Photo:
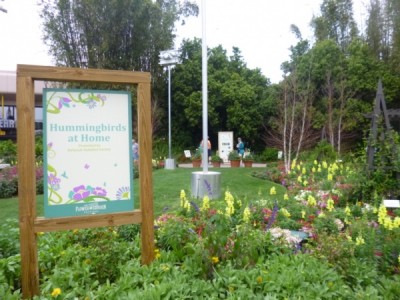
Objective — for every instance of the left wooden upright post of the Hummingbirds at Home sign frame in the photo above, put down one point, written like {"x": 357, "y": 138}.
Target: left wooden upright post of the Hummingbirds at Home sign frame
{"x": 27, "y": 185}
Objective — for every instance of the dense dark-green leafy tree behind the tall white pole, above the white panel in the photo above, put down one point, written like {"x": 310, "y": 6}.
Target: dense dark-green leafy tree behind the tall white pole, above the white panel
{"x": 236, "y": 95}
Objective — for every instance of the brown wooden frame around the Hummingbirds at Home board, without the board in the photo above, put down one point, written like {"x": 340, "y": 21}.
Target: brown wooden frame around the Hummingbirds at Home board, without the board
{"x": 30, "y": 224}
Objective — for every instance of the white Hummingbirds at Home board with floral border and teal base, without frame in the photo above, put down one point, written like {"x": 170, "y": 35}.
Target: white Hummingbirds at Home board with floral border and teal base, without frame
{"x": 87, "y": 152}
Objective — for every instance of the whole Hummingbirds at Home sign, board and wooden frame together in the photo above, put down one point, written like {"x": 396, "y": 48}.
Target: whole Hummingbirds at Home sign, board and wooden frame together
{"x": 87, "y": 158}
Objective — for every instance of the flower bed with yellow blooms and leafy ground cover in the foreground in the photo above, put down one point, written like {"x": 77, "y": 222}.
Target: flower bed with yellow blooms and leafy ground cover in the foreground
{"x": 310, "y": 240}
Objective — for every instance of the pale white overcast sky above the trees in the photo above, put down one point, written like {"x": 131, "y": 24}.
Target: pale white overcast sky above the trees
{"x": 259, "y": 28}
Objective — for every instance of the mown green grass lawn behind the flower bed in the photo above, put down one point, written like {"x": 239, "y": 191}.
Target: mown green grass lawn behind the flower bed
{"x": 167, "y": 185}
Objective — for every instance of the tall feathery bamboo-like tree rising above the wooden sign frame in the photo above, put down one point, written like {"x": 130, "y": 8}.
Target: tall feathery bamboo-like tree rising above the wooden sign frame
{"x": 111, "y": 34}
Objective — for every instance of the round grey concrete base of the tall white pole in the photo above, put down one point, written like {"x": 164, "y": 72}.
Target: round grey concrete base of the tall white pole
{"x": 206, "y": 184}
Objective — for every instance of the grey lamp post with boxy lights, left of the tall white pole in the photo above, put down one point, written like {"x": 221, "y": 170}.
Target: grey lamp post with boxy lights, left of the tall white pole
{"x": 169, "y": 59}
